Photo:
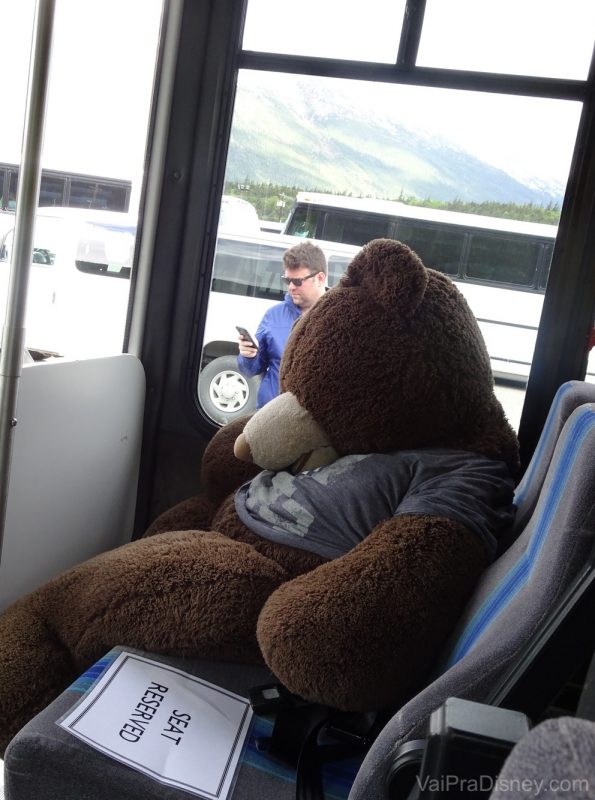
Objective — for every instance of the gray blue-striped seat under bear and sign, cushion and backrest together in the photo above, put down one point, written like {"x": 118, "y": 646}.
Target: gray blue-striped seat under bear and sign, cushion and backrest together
{"x": 515, "y": 593}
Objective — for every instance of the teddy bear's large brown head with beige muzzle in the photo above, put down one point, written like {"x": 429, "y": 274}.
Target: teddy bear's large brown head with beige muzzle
{"x": 390, "y": 359}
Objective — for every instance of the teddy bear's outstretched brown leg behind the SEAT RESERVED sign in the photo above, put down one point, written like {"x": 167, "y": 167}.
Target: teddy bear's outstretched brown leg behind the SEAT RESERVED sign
{"x": 181, "y": 593}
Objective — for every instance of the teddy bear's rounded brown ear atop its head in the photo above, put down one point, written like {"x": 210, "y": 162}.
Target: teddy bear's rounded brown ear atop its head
{"x": 392, "y": 273}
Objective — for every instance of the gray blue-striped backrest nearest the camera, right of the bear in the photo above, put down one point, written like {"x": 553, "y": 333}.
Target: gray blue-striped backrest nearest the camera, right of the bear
{"x": 516, "y": 595}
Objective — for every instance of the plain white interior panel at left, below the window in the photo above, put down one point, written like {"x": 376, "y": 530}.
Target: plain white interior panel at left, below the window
{"x": 74, "y": 472}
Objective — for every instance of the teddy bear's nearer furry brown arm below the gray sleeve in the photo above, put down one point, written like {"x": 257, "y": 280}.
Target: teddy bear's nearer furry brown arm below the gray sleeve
{"x": 362, "y": 631}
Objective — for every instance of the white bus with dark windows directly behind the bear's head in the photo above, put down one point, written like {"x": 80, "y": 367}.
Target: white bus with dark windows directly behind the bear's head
{"x": 500, "y": 265}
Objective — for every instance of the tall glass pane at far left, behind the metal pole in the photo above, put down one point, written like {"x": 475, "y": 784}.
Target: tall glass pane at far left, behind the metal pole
{"x": 75, "y": 307}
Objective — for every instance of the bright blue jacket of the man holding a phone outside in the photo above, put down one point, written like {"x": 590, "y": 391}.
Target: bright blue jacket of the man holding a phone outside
{"x": 271, "y": 335}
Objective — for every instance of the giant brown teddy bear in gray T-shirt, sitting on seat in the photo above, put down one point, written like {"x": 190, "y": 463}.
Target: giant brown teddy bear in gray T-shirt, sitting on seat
{"x": 388, "y": 473}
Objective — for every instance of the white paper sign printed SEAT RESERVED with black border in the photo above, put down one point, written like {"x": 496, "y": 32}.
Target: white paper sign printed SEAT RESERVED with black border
{"x": 179, "y": 729}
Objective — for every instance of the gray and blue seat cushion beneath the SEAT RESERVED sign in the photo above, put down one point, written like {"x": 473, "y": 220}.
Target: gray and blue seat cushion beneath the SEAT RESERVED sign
{"x": 45, "y": 762}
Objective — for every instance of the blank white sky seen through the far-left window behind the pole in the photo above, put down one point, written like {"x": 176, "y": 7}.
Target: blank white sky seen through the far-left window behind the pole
{"x": 103, "y": 56}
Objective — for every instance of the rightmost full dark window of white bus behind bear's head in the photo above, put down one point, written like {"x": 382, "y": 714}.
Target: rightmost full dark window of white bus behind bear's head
{"x": 503, "y": 259}
